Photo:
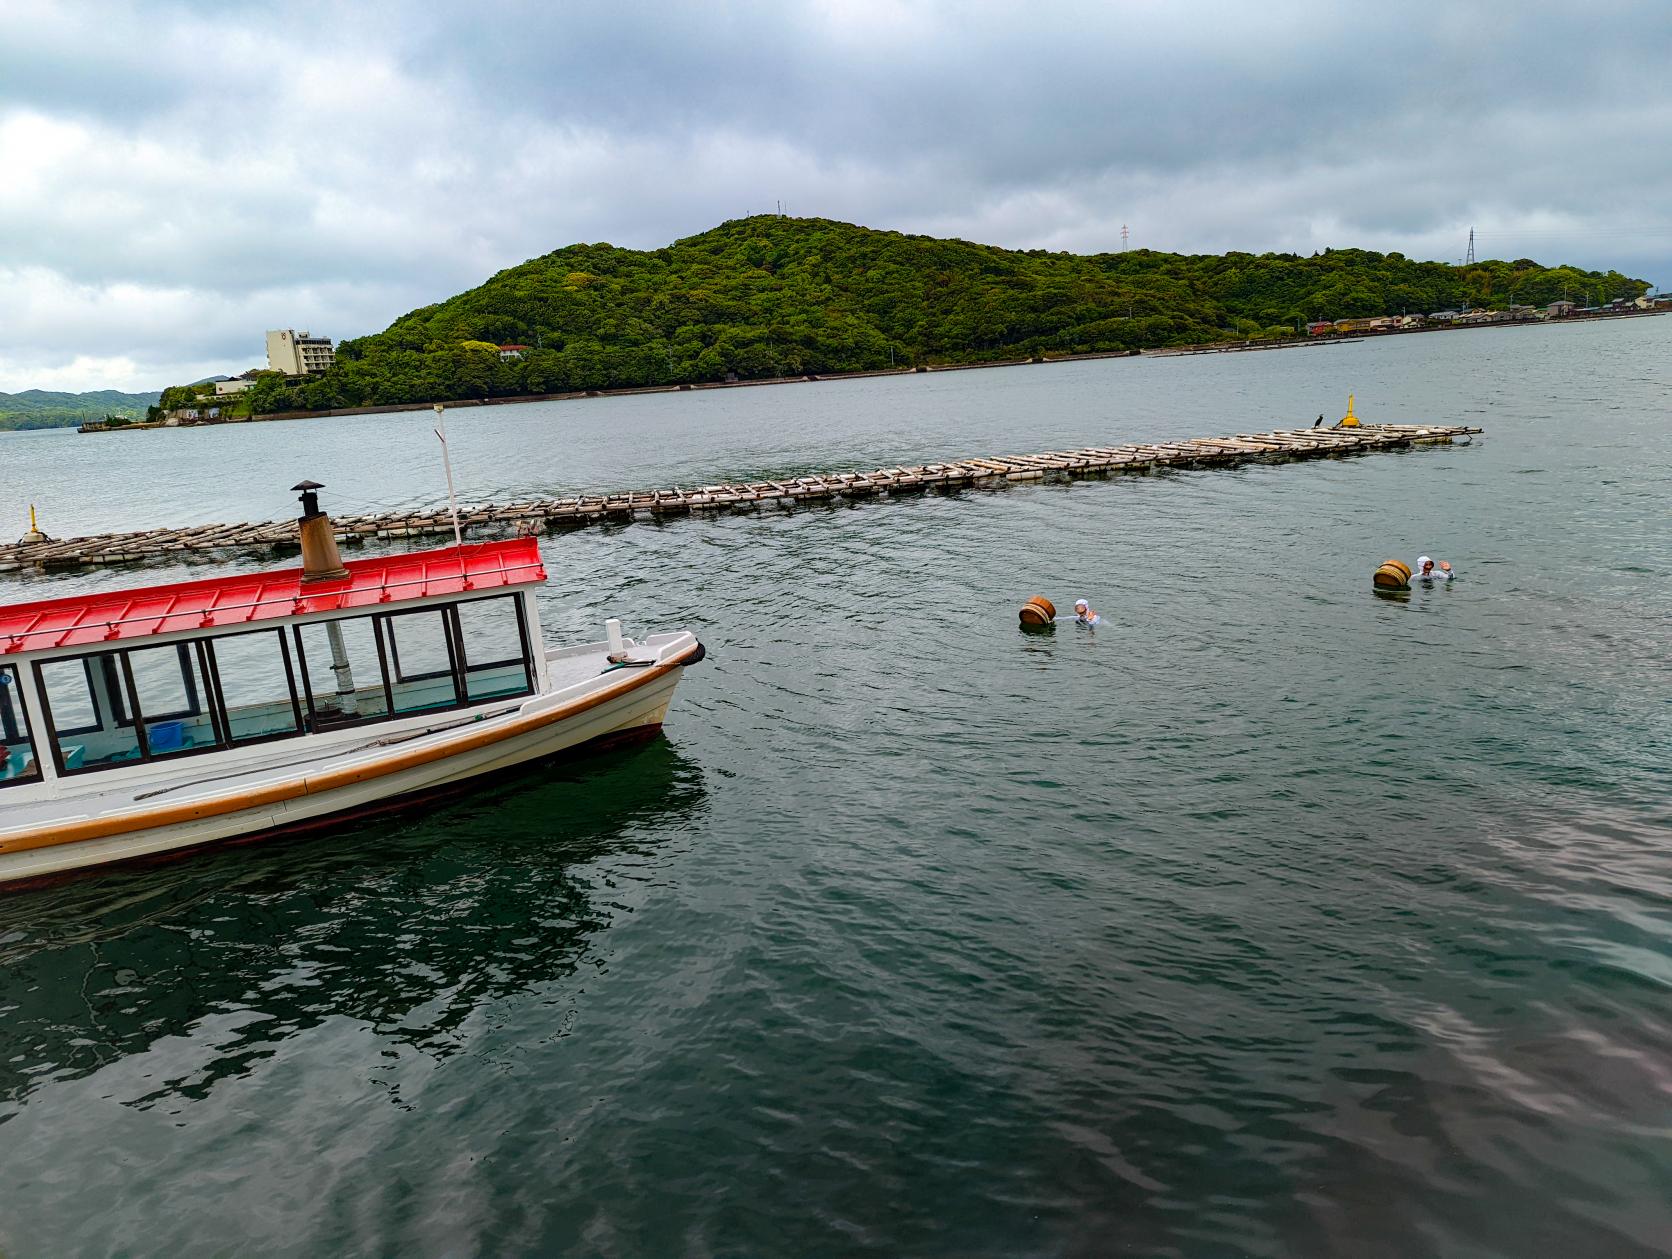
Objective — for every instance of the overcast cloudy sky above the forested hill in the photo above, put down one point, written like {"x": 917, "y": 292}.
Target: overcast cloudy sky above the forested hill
{"x": 178, "y": 178}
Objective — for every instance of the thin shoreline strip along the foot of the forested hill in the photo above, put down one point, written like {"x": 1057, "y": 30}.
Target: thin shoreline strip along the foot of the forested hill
{"x": 636, "y": 390}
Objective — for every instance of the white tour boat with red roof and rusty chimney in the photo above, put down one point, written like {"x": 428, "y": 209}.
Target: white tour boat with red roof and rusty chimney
{"x": 148, "y": 721}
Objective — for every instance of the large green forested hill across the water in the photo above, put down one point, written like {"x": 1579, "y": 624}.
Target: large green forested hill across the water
{"x": 778, "y": 297}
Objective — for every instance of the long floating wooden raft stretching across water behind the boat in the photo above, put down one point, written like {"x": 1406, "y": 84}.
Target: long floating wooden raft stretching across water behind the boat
{"x": 548, "y": 514}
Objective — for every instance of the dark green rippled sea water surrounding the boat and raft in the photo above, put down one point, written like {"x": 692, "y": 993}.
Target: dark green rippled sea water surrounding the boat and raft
{"x": 1267, "y": 920}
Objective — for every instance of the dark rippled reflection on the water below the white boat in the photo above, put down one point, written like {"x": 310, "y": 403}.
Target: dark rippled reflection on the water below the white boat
{"x": 407, "y": 925}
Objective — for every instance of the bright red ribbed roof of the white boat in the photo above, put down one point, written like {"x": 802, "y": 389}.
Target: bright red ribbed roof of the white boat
{"x": 225, "y": 603}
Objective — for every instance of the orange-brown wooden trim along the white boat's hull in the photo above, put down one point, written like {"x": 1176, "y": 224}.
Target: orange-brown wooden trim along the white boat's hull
{"x": 332, "y": 780}
